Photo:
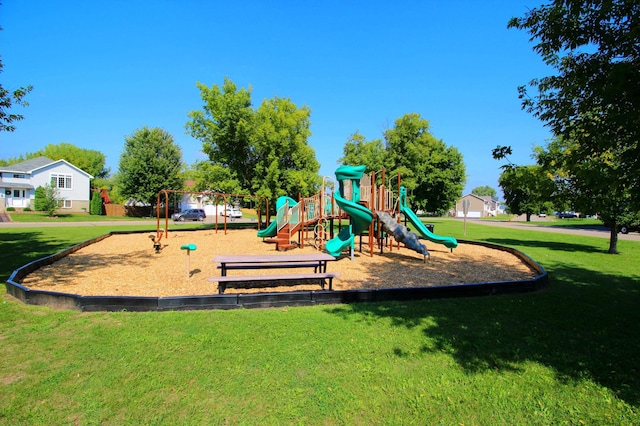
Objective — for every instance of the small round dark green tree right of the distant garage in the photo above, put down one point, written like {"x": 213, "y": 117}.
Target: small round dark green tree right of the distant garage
{"x": 526, "y": 189}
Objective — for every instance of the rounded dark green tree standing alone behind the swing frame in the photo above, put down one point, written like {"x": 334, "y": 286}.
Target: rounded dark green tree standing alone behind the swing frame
{"x": 150, "y": 162}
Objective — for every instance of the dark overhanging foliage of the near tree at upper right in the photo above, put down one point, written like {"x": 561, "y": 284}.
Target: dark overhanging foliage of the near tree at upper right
{"x": 593, "y": 99}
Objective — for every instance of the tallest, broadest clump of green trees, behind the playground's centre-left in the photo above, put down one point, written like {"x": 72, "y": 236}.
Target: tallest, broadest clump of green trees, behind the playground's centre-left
{"x": 266, "y": 150}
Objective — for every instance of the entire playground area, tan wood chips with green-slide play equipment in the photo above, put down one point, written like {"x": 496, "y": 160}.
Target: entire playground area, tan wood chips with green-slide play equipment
{"x": 370, "y": 250}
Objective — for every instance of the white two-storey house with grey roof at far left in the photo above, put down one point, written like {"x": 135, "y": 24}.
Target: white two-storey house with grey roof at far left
{"x": 18, "y": 183}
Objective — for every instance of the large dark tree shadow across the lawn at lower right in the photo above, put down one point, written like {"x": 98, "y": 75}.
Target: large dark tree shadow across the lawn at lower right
{"x": 585, "y": 326}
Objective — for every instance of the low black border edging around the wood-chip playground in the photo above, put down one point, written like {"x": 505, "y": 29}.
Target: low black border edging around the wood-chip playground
{"x": 259, "y": 300}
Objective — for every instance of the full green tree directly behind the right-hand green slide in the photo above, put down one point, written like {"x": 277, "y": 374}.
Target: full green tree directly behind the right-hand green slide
{"x": 433, "y": 173}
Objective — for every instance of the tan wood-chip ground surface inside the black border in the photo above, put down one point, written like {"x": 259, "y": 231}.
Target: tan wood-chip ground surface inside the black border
{"x": 127, "y": 265}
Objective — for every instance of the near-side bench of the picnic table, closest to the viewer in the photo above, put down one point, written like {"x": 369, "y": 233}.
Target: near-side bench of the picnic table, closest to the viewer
{"x": 274, "y": 280}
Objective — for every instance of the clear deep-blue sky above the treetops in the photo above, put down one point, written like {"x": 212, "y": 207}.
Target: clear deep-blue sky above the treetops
{"x": 101, "y": 69}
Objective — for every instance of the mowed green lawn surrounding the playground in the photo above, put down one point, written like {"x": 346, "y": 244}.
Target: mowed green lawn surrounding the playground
{"x": 566, "y": 355}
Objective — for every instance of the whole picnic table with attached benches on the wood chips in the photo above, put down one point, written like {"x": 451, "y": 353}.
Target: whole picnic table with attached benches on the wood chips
{"x": 315, "y": 261}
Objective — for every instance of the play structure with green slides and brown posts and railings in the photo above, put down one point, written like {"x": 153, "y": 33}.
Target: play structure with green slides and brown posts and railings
{"x": 372, "y": 209}
